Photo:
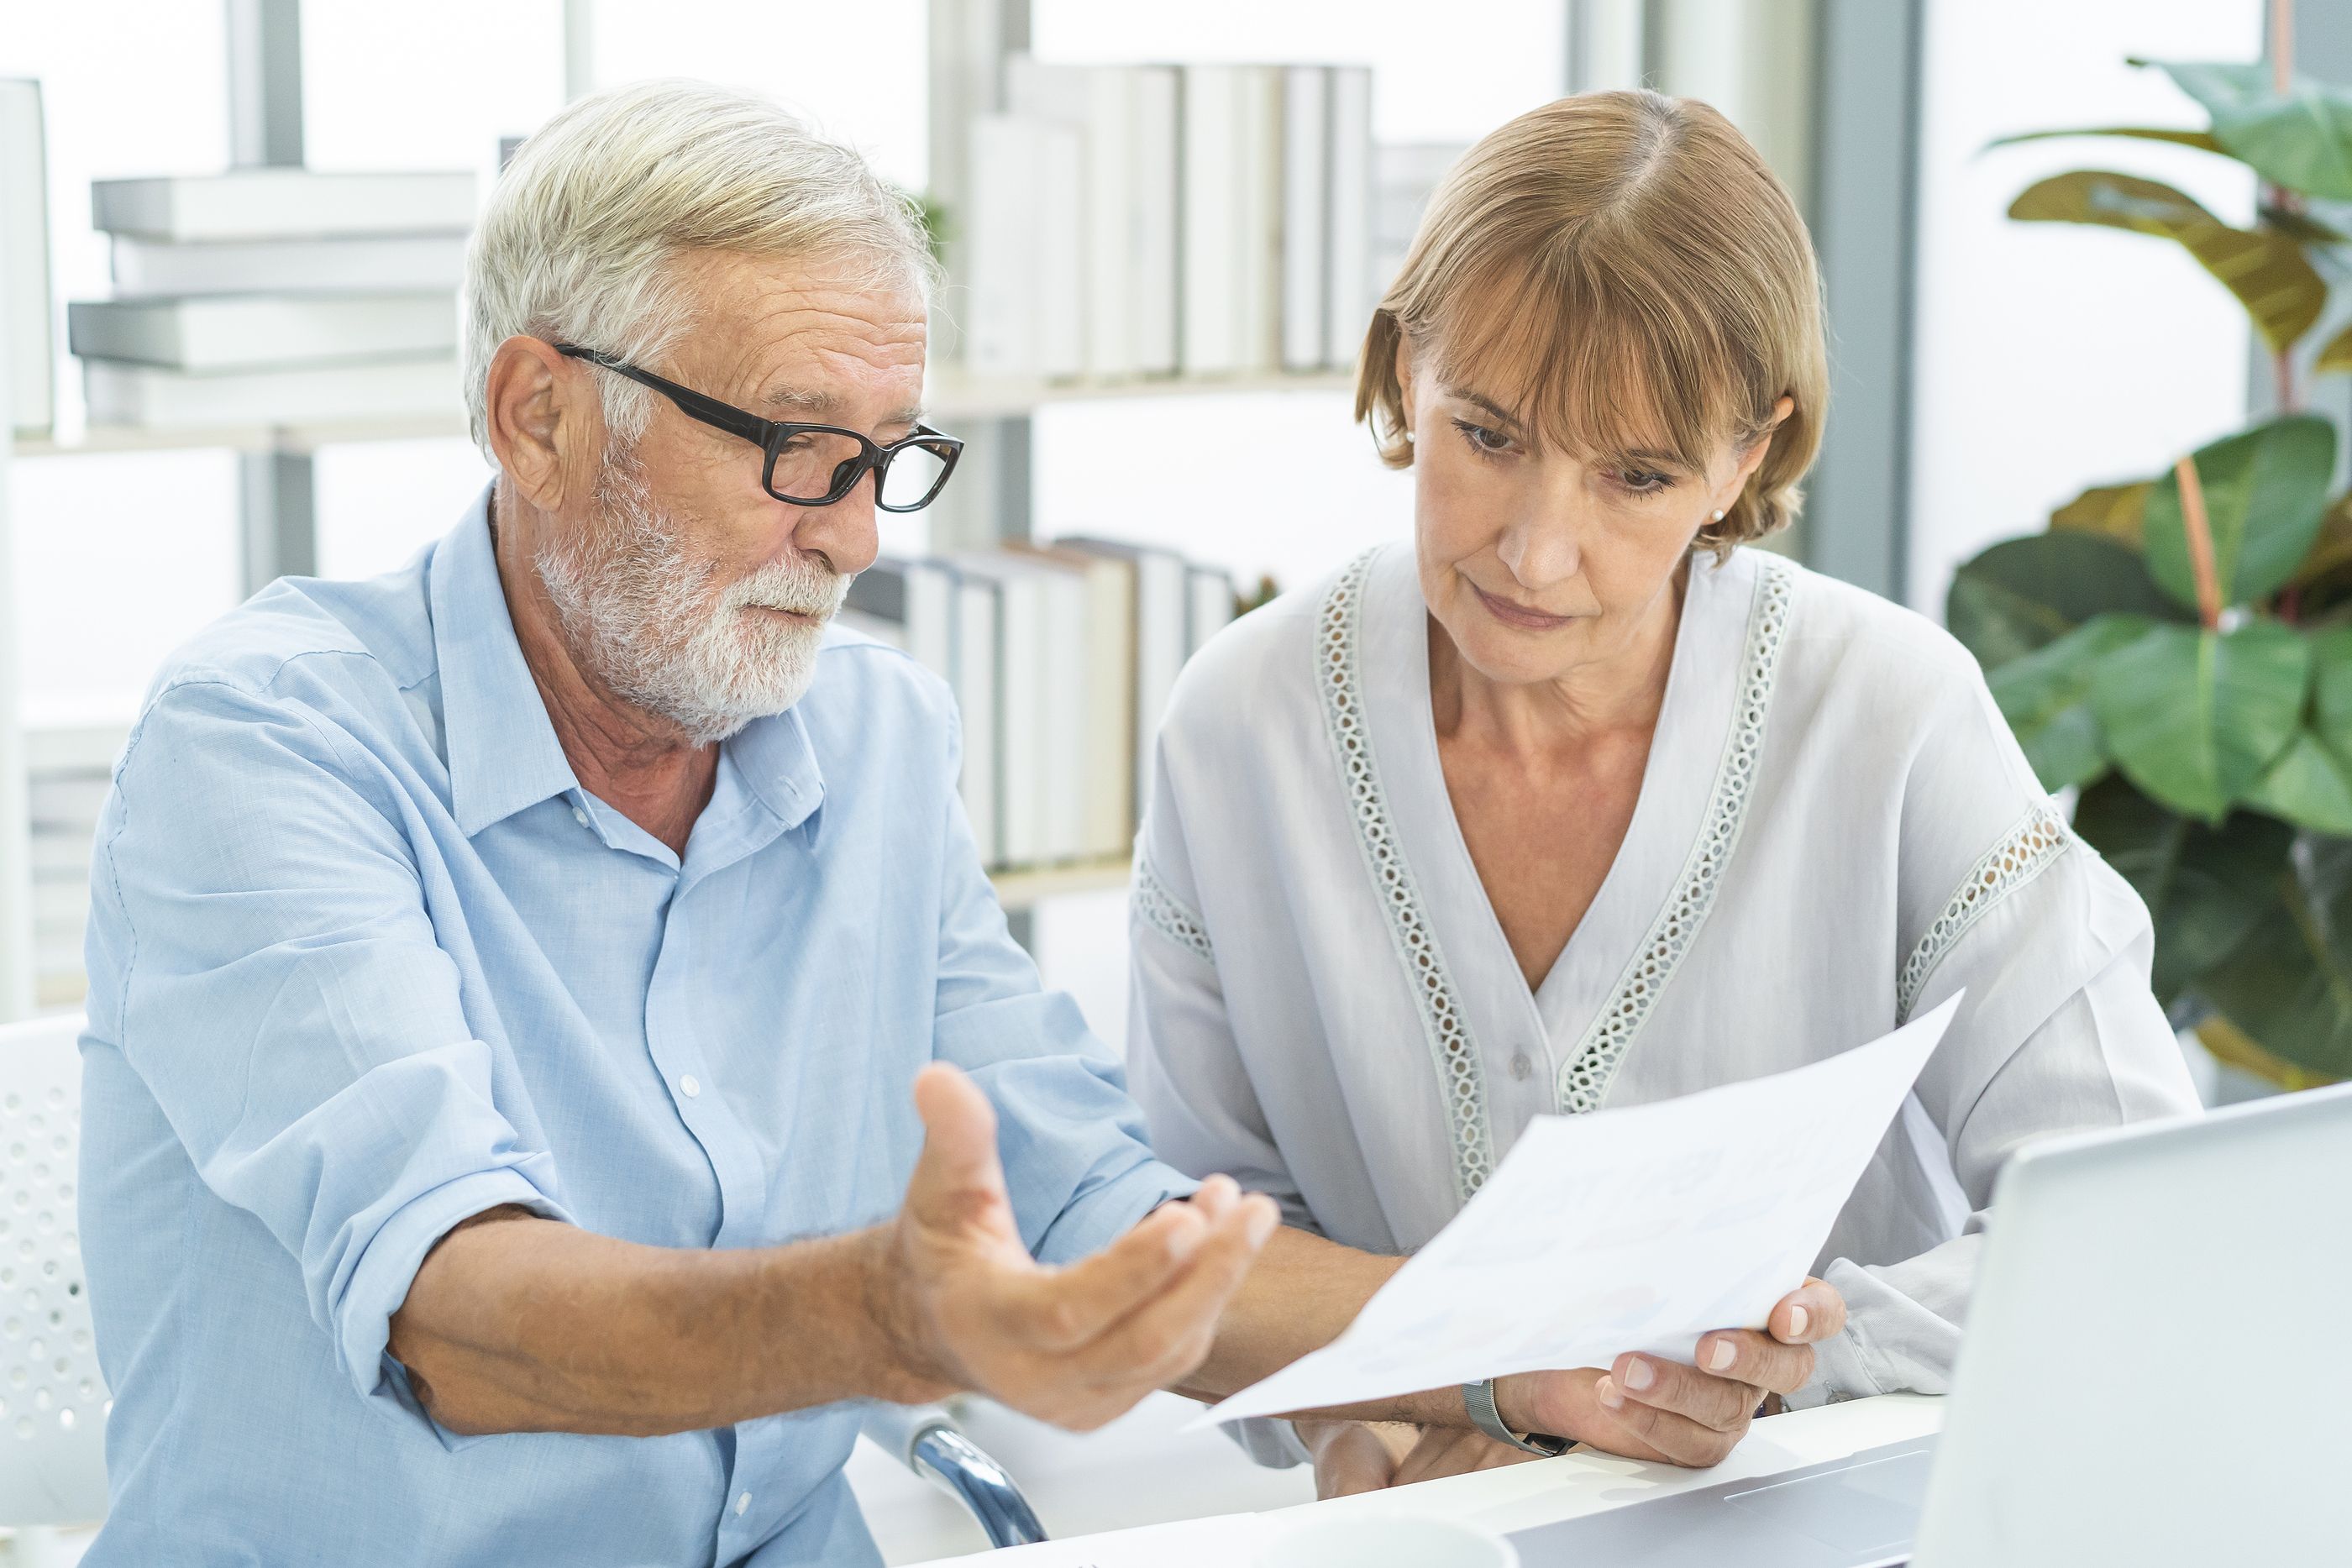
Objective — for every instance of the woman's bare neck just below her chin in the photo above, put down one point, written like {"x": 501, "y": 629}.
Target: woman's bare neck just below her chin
{"x": 1612, "y": 695}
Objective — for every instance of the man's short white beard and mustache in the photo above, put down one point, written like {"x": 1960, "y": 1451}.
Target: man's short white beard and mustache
{"x": 646, "y": 617}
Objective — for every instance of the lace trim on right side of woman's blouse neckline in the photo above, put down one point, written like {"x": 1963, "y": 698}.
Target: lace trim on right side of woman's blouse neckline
{"x": 1584, "y": 1080}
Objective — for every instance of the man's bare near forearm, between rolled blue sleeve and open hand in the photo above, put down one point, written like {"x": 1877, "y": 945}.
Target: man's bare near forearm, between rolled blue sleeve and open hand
{"x": 523, "y": 1325}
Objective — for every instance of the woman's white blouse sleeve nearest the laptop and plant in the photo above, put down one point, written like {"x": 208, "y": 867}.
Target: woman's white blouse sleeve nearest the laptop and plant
{"x": 2059, "y": 1031}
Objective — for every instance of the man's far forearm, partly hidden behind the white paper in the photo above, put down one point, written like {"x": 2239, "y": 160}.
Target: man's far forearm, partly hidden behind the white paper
{"x": 1299, "y": 1296}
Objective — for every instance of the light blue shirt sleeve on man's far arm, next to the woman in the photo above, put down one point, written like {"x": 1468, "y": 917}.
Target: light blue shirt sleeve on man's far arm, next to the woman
{"x": 1071, "y": 1139}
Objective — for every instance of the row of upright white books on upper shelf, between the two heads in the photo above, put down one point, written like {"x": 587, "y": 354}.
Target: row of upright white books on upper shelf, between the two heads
{"x": 1172, "y": 220}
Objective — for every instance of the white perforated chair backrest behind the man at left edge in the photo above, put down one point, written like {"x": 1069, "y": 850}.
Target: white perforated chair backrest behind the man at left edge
{"x": 53, "y": 1398}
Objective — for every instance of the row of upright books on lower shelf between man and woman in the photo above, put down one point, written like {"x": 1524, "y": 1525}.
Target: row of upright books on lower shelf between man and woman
{"x": 1062, "y": 662}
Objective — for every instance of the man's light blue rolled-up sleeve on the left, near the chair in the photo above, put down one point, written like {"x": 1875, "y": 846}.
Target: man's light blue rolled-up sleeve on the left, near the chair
{"x": 283, "y": 998}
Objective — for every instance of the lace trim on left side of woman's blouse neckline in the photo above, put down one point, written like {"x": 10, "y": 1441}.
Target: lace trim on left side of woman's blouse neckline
{"x": 1452, "y": 1050}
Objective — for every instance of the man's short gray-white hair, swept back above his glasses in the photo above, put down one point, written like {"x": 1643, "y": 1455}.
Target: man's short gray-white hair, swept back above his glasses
{"x": 584, "y": 225}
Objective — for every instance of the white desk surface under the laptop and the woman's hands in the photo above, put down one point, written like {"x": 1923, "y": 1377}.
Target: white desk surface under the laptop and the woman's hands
{"x": 1523, "y": 1496}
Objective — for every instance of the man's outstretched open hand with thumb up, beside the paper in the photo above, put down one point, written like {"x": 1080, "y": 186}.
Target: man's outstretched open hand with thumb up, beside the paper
{"x": 965, "y": 1306}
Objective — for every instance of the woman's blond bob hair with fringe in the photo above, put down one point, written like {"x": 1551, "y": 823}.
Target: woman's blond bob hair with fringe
{"x": 1626, "y": 276}
